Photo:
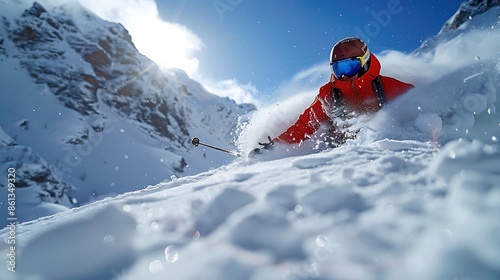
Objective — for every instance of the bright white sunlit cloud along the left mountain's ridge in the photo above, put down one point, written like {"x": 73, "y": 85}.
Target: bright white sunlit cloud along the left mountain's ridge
{"x": 170, "y": 45}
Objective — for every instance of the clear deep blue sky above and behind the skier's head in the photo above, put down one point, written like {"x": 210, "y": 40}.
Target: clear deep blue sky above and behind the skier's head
{"x": 265, "y": 42}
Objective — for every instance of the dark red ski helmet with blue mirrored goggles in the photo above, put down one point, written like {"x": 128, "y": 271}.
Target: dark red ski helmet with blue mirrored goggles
{"x": 349, "y": 57}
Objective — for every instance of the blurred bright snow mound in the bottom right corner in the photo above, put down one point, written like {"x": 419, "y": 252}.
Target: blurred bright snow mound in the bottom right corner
{"x": 468, "y": 172}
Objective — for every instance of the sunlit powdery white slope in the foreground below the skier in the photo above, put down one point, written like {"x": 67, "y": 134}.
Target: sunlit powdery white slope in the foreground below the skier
{"x": 416, "y": 196}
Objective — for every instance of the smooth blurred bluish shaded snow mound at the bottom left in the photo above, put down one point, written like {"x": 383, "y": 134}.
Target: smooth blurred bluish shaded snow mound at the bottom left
{"x": 102, "y": 241}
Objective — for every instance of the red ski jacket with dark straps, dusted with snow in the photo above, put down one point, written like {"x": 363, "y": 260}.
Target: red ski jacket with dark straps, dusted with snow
{"x": 363, "y": 95}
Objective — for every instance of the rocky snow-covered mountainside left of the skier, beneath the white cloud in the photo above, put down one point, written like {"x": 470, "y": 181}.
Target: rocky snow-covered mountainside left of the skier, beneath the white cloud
{"x": 79, "y": 97}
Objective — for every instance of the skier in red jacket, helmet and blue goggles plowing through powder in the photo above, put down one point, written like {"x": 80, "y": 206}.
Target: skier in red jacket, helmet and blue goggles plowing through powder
{"x": 355, "y": 87}
